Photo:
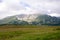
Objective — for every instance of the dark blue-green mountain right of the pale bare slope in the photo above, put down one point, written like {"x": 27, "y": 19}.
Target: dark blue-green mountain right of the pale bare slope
{"x": 47, "y": 20}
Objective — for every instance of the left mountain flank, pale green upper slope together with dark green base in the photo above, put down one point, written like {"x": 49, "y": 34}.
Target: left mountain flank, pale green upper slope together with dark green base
{"x": 12, "y": 20}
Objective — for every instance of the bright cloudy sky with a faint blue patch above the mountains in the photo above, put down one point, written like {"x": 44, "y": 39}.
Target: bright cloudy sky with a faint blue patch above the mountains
{"x": 15, "y": 7}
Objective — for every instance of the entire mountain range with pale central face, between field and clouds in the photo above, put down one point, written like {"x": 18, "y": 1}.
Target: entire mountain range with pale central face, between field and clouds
{"x": 33, "y": 19}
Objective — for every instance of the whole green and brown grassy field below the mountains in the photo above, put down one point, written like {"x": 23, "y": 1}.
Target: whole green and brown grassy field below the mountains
{"x": 29, "y": 32}
